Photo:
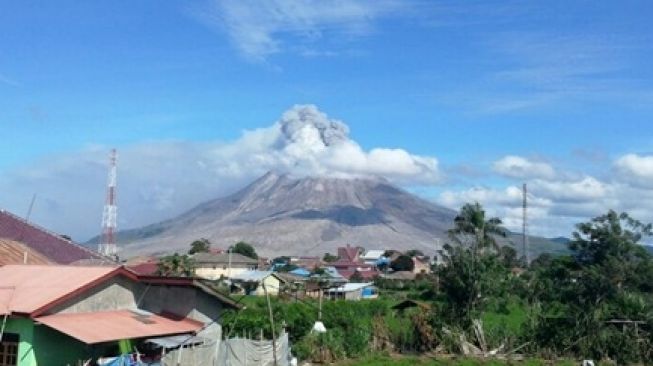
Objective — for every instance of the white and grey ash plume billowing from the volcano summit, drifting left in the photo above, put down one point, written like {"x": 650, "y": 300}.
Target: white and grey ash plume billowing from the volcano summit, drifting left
{"x": 157, "y": 180}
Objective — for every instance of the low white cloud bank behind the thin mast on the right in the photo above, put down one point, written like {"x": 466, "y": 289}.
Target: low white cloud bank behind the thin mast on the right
{"x": 556, "y": 205}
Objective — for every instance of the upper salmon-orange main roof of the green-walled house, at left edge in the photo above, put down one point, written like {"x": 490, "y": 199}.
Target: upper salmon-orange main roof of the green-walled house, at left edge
{"x": 36, "y": 286}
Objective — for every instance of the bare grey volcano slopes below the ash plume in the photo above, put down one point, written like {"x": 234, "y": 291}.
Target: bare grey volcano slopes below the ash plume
{"x": 281, "y": 215}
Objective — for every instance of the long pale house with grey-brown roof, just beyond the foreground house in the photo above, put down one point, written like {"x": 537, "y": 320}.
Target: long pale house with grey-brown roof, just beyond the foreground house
{"x": 213, "y": 266}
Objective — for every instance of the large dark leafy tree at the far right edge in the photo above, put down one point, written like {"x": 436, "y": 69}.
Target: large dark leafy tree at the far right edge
{"x": 606, "y": 278}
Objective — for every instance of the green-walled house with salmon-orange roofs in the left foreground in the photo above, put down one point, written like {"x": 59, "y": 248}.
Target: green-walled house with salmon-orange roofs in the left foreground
{"x": 59, "y": 315}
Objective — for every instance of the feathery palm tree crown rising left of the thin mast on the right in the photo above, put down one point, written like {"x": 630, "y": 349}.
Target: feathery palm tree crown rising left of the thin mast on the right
{"x": 471, "y": 225}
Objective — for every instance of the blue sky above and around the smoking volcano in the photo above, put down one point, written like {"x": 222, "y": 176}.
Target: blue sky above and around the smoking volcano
{"x": 566, "y": 84}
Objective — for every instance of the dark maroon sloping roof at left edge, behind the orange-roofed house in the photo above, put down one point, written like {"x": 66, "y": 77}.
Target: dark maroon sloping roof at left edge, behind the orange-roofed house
{"x": 50, "y": 245}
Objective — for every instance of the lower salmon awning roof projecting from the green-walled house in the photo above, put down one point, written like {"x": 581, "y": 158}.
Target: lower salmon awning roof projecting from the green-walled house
{"x": 98, "y": 327}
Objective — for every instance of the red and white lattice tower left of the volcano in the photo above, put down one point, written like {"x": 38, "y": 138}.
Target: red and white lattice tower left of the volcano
{"x": 107, "y": 245}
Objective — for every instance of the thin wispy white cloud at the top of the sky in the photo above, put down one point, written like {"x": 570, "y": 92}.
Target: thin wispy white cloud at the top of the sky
{"x": 256, "y": 27}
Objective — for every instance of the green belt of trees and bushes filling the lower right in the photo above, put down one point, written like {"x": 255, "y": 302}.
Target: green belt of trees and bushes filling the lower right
{"x": 594, "y": 303}
